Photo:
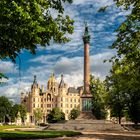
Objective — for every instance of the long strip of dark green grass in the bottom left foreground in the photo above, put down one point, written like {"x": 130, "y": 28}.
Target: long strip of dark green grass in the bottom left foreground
{"x": 36, "y": 134}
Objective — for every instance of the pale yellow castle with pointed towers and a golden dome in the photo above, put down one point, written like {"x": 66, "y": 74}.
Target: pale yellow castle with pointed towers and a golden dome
{"x": 56, "y": 95}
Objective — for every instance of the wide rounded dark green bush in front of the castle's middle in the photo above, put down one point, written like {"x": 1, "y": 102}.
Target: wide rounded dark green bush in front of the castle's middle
{"x": 55, "y": 116}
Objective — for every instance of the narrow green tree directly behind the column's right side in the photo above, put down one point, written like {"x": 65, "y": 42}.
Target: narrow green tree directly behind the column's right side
{"x": 98, "y": 91}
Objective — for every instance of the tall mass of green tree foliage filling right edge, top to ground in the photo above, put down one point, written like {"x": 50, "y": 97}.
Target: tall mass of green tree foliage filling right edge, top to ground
{"x": 125, "y": 77}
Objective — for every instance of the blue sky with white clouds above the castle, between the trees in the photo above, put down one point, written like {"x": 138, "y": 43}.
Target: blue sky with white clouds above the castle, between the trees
{"x": 67, "y": 59}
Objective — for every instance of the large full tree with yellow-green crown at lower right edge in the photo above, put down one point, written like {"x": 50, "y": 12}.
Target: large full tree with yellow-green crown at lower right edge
{"x": 124, "y": 90}
